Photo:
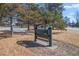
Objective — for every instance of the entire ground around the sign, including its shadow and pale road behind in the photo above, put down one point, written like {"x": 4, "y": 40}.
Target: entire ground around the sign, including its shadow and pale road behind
{"x": 22, "y": 43}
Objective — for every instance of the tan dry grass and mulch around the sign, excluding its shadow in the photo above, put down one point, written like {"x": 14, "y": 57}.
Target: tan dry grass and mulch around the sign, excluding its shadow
{"x": 64, "y": 41}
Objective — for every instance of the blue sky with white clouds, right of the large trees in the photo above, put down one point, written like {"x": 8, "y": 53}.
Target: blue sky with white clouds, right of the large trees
{"x": 70, "y": 9}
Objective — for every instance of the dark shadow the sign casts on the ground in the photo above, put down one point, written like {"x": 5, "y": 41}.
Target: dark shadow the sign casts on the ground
{"x": 29, "y": 44}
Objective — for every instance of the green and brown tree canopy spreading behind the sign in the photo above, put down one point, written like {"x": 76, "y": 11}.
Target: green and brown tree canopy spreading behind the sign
{"x": 30, "y": 14}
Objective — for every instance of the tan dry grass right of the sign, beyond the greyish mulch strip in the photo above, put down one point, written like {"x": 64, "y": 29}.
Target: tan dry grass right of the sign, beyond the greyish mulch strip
{"x": 71, "y": 37}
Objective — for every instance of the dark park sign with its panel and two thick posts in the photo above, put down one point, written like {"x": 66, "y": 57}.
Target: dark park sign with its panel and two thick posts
{"x": 44, "y": 33}
